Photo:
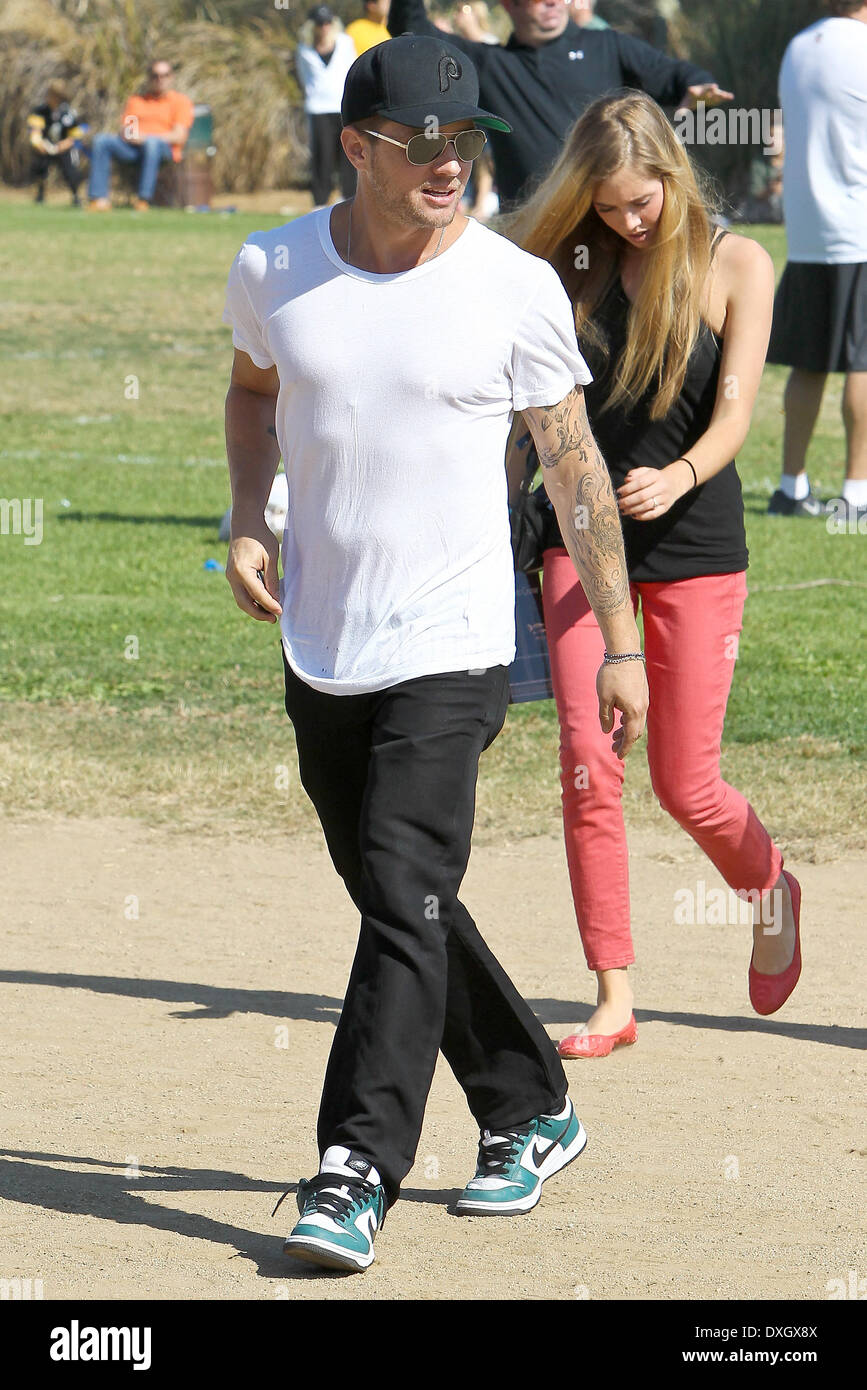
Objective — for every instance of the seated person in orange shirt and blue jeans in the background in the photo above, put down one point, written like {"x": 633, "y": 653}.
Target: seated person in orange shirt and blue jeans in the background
{"x": 155, "y": 127}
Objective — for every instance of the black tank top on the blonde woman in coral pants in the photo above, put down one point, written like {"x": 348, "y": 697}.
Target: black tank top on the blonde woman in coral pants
{"x": 704, "y": 532}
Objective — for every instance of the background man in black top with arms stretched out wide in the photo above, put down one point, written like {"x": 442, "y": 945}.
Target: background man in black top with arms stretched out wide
{"x": 548, "y": 73}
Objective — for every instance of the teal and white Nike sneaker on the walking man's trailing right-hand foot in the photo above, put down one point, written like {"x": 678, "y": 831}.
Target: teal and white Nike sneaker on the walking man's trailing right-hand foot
{"x": 513, "y": 1164}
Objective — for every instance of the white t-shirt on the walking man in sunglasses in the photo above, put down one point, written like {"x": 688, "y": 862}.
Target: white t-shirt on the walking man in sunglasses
{"x": 395, "y": 407}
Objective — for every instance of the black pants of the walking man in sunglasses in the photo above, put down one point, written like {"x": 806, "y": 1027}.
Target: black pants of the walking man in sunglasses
{"x": 393, "y": 776}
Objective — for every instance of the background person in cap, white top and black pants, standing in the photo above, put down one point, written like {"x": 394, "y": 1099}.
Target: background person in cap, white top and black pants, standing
{"x": 322, "y": 69}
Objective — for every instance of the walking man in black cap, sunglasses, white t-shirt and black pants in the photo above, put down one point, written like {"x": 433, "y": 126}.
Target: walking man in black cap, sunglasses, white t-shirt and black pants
{"x": 402, "y": 337}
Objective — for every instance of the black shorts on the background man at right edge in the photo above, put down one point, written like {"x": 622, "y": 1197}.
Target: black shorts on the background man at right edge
{"x": 820, "y": 318}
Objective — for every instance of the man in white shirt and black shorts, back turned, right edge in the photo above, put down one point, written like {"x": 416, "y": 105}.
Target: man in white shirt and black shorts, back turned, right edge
{"x": 820, "y": 313}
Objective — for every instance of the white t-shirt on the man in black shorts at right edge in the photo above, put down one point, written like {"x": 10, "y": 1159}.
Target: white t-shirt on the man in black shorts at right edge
{"x": 823, "y": 91}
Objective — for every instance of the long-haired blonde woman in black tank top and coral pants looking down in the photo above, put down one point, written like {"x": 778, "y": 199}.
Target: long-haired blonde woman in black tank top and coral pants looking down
{"x": 675, "y": 320}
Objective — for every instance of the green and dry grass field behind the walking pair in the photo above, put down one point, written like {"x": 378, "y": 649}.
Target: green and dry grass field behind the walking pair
{"x": 130, "y": 685}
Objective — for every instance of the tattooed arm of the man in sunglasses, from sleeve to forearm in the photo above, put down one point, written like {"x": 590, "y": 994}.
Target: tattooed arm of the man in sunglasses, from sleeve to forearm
{"x": 591, "y": 529}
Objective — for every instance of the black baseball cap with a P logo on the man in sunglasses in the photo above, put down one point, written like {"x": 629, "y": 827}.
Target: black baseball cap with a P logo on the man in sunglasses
{"x": 413, "y": 79}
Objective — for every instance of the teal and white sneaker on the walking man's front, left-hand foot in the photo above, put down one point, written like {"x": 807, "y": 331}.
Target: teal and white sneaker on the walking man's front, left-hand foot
{"x": 341, "y": 1211}
